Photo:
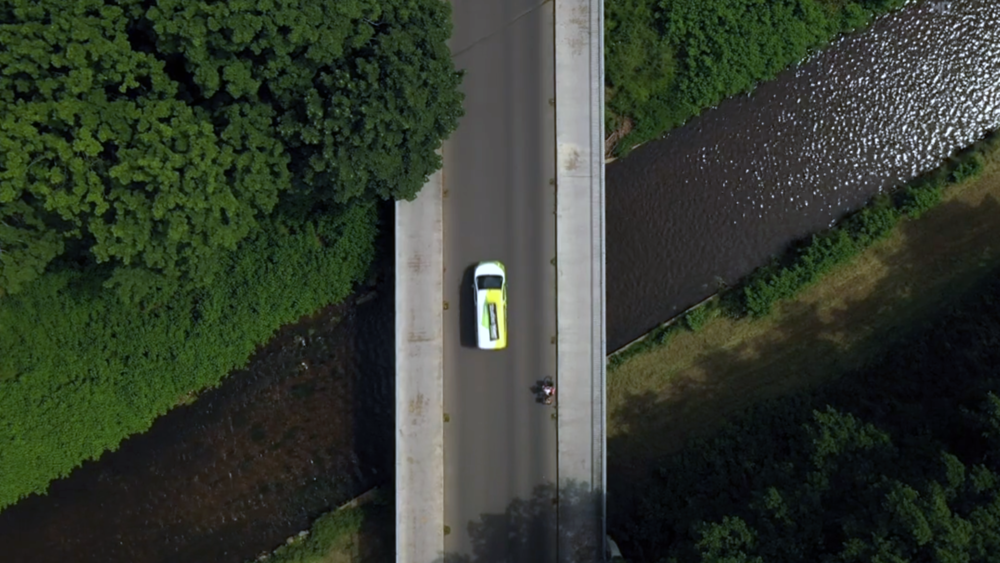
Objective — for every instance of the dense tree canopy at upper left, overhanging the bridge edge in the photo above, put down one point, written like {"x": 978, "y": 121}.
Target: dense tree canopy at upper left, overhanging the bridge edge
{"x": 153, "y": 135}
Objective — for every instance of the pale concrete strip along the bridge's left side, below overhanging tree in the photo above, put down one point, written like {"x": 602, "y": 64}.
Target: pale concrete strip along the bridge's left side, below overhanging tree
{"x": 419, "y": 468}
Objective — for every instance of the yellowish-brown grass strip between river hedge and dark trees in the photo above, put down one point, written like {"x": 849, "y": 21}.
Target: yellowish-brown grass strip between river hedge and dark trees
{"x": 688, "y": 388}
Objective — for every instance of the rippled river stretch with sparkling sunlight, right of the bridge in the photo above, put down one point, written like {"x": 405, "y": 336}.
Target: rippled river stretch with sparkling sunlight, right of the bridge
{"x": 716, "y": 198}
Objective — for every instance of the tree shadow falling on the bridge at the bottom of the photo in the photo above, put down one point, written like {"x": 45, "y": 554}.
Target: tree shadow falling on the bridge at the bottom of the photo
{"x": 553, "y": 524}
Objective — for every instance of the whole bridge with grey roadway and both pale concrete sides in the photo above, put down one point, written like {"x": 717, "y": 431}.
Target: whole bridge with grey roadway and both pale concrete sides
{"x": 483, "y": 472}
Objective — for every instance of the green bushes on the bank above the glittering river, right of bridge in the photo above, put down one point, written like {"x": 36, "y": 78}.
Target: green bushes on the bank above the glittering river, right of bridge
{"x": 668, "y": 61}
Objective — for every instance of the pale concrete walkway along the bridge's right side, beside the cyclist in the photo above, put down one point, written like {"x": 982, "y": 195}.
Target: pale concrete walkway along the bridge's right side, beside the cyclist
{"x": 580, "y": 308}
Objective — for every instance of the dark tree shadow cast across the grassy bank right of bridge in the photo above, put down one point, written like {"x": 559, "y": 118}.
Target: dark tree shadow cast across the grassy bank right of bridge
{"x": 667, "y": 435}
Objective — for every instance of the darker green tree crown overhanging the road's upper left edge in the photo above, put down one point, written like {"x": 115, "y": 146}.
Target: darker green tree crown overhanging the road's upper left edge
{"x": 363, "y": 91}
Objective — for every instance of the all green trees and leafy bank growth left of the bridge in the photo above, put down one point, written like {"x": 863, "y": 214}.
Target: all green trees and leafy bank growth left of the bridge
{"x": 176, "y": 187}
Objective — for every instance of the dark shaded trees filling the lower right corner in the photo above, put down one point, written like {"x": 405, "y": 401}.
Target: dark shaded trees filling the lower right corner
{"x": 895, "y": 461}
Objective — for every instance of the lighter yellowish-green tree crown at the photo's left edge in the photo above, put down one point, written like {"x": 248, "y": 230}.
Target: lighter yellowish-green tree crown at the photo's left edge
{"x": 94, "y": 146}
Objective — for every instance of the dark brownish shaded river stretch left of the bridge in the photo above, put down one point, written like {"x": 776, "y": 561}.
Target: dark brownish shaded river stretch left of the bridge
{"x": 306, "y": 427}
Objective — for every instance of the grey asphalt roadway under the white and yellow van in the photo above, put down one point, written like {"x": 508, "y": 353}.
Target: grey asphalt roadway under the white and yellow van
{"x": 500, "y": 445}
